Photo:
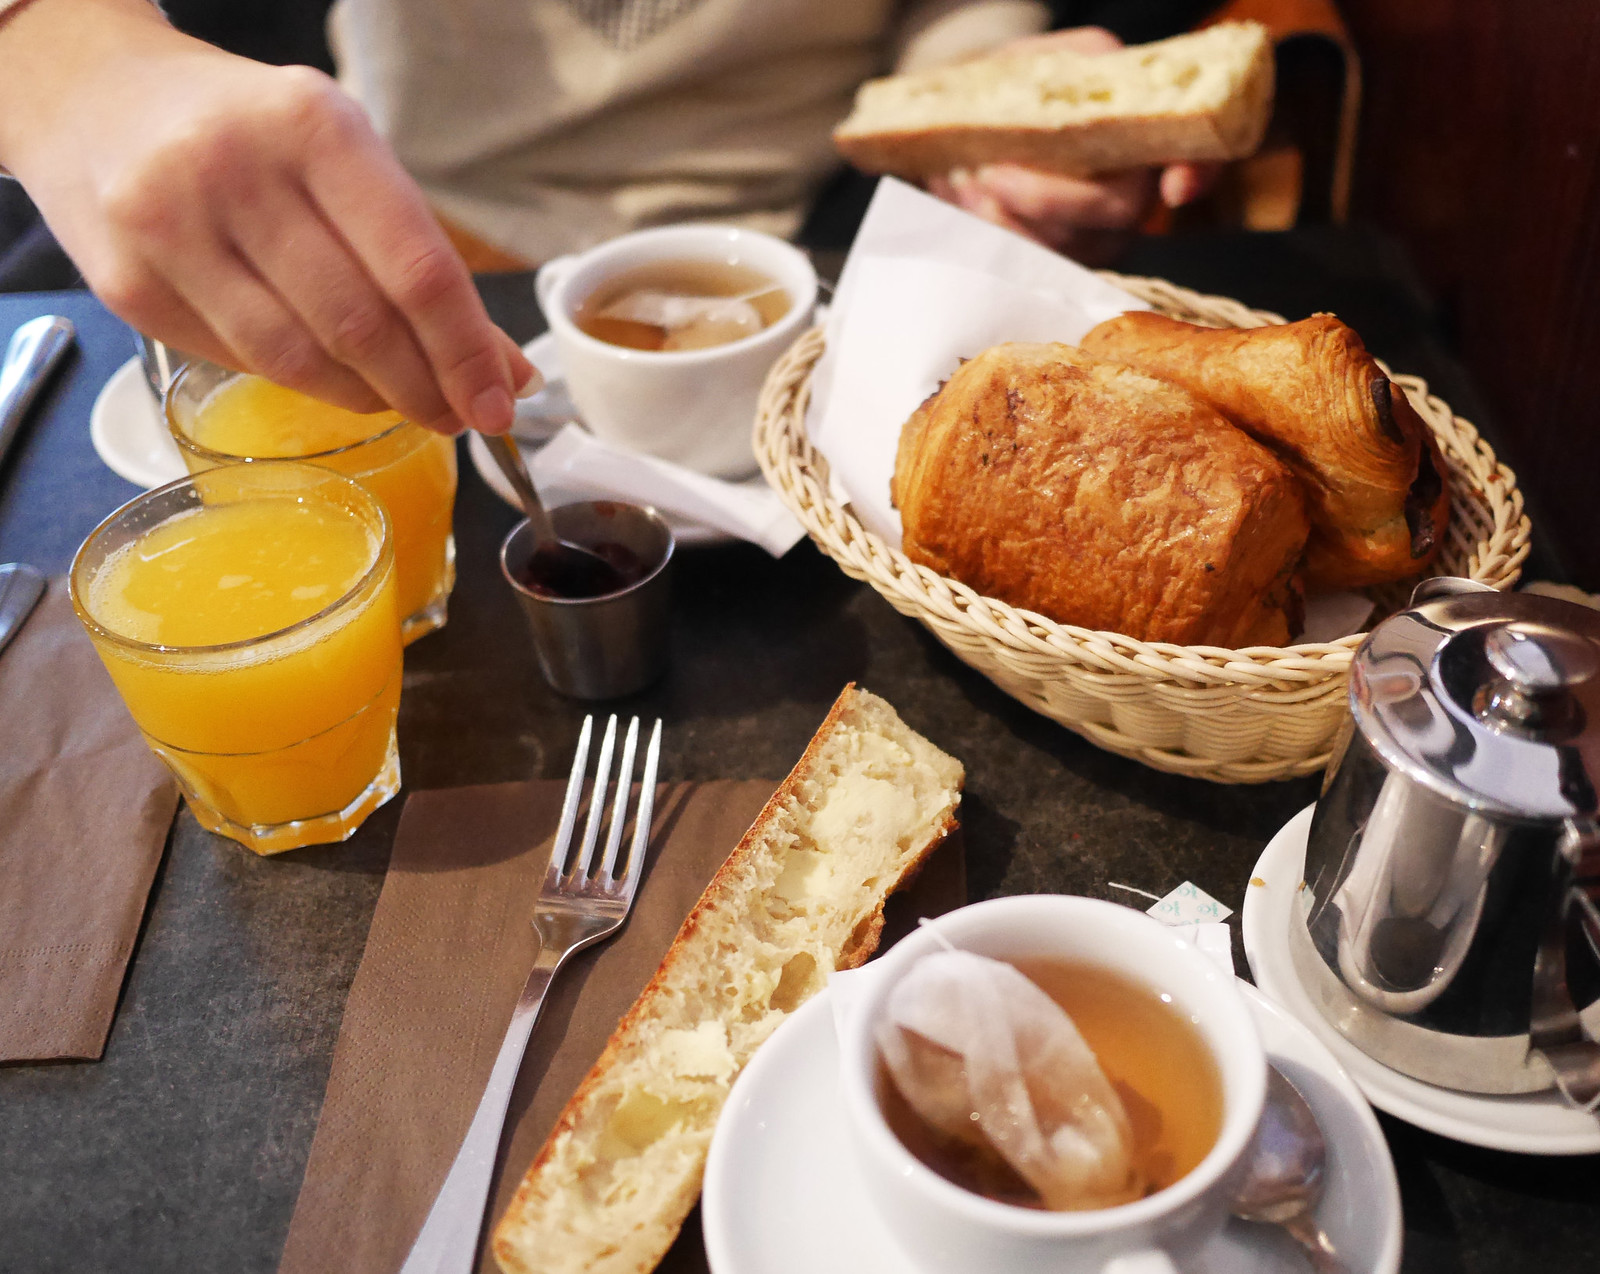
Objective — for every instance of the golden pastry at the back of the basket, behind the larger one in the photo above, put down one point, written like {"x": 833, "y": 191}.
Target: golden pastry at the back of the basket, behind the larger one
{"x": 1375, "y": 481}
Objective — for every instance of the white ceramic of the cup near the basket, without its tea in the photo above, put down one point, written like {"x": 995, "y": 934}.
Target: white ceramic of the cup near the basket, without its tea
{"x": 692, "y": 407}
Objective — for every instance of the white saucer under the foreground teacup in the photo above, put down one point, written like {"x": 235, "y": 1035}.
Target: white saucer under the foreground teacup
{"x": 783, "y": 1195}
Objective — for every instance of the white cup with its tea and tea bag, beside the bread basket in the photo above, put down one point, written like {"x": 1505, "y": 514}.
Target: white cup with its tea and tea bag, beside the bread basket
{"x": 666, "y": 337}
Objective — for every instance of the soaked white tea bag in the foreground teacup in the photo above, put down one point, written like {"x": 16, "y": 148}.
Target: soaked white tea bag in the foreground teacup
{"x": 990, "y": 1060}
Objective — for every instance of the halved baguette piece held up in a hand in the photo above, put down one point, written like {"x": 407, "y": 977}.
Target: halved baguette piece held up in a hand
{"x": 1199, "y": 97}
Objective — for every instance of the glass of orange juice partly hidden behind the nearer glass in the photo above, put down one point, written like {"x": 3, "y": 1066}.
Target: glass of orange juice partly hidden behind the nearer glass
{"x": 222, "y": 417}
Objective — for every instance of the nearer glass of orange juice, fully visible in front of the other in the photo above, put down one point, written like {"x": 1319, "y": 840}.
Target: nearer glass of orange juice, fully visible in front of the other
{"x": 250, "y": 620}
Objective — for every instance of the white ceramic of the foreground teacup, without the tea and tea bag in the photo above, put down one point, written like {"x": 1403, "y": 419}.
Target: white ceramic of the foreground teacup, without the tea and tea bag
{"x": 948, "y": 1228}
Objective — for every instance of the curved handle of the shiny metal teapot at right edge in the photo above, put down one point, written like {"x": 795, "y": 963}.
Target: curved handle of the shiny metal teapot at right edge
{"x": 1556, "y": 1030}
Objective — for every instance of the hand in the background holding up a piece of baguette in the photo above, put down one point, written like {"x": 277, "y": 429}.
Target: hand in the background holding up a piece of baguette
{"x": 1087, "y": 218}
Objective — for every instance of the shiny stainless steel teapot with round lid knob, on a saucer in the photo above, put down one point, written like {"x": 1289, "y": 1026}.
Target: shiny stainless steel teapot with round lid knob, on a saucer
{"x": 1449, "y": 926}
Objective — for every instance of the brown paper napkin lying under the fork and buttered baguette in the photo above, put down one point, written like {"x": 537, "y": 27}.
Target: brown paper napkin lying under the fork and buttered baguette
{"x": 449, "y": 951}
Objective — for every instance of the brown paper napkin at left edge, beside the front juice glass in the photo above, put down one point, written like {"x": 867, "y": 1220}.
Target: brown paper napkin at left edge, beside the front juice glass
{"x": 84, "y": 815}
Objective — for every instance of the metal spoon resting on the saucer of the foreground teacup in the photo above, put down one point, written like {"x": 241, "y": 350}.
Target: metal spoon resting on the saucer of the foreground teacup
{"x": 1286, "y": 1176}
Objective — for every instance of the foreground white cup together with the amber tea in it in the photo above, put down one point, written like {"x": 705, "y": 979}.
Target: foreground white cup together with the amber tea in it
{"x": 1174, "y": 1092}
